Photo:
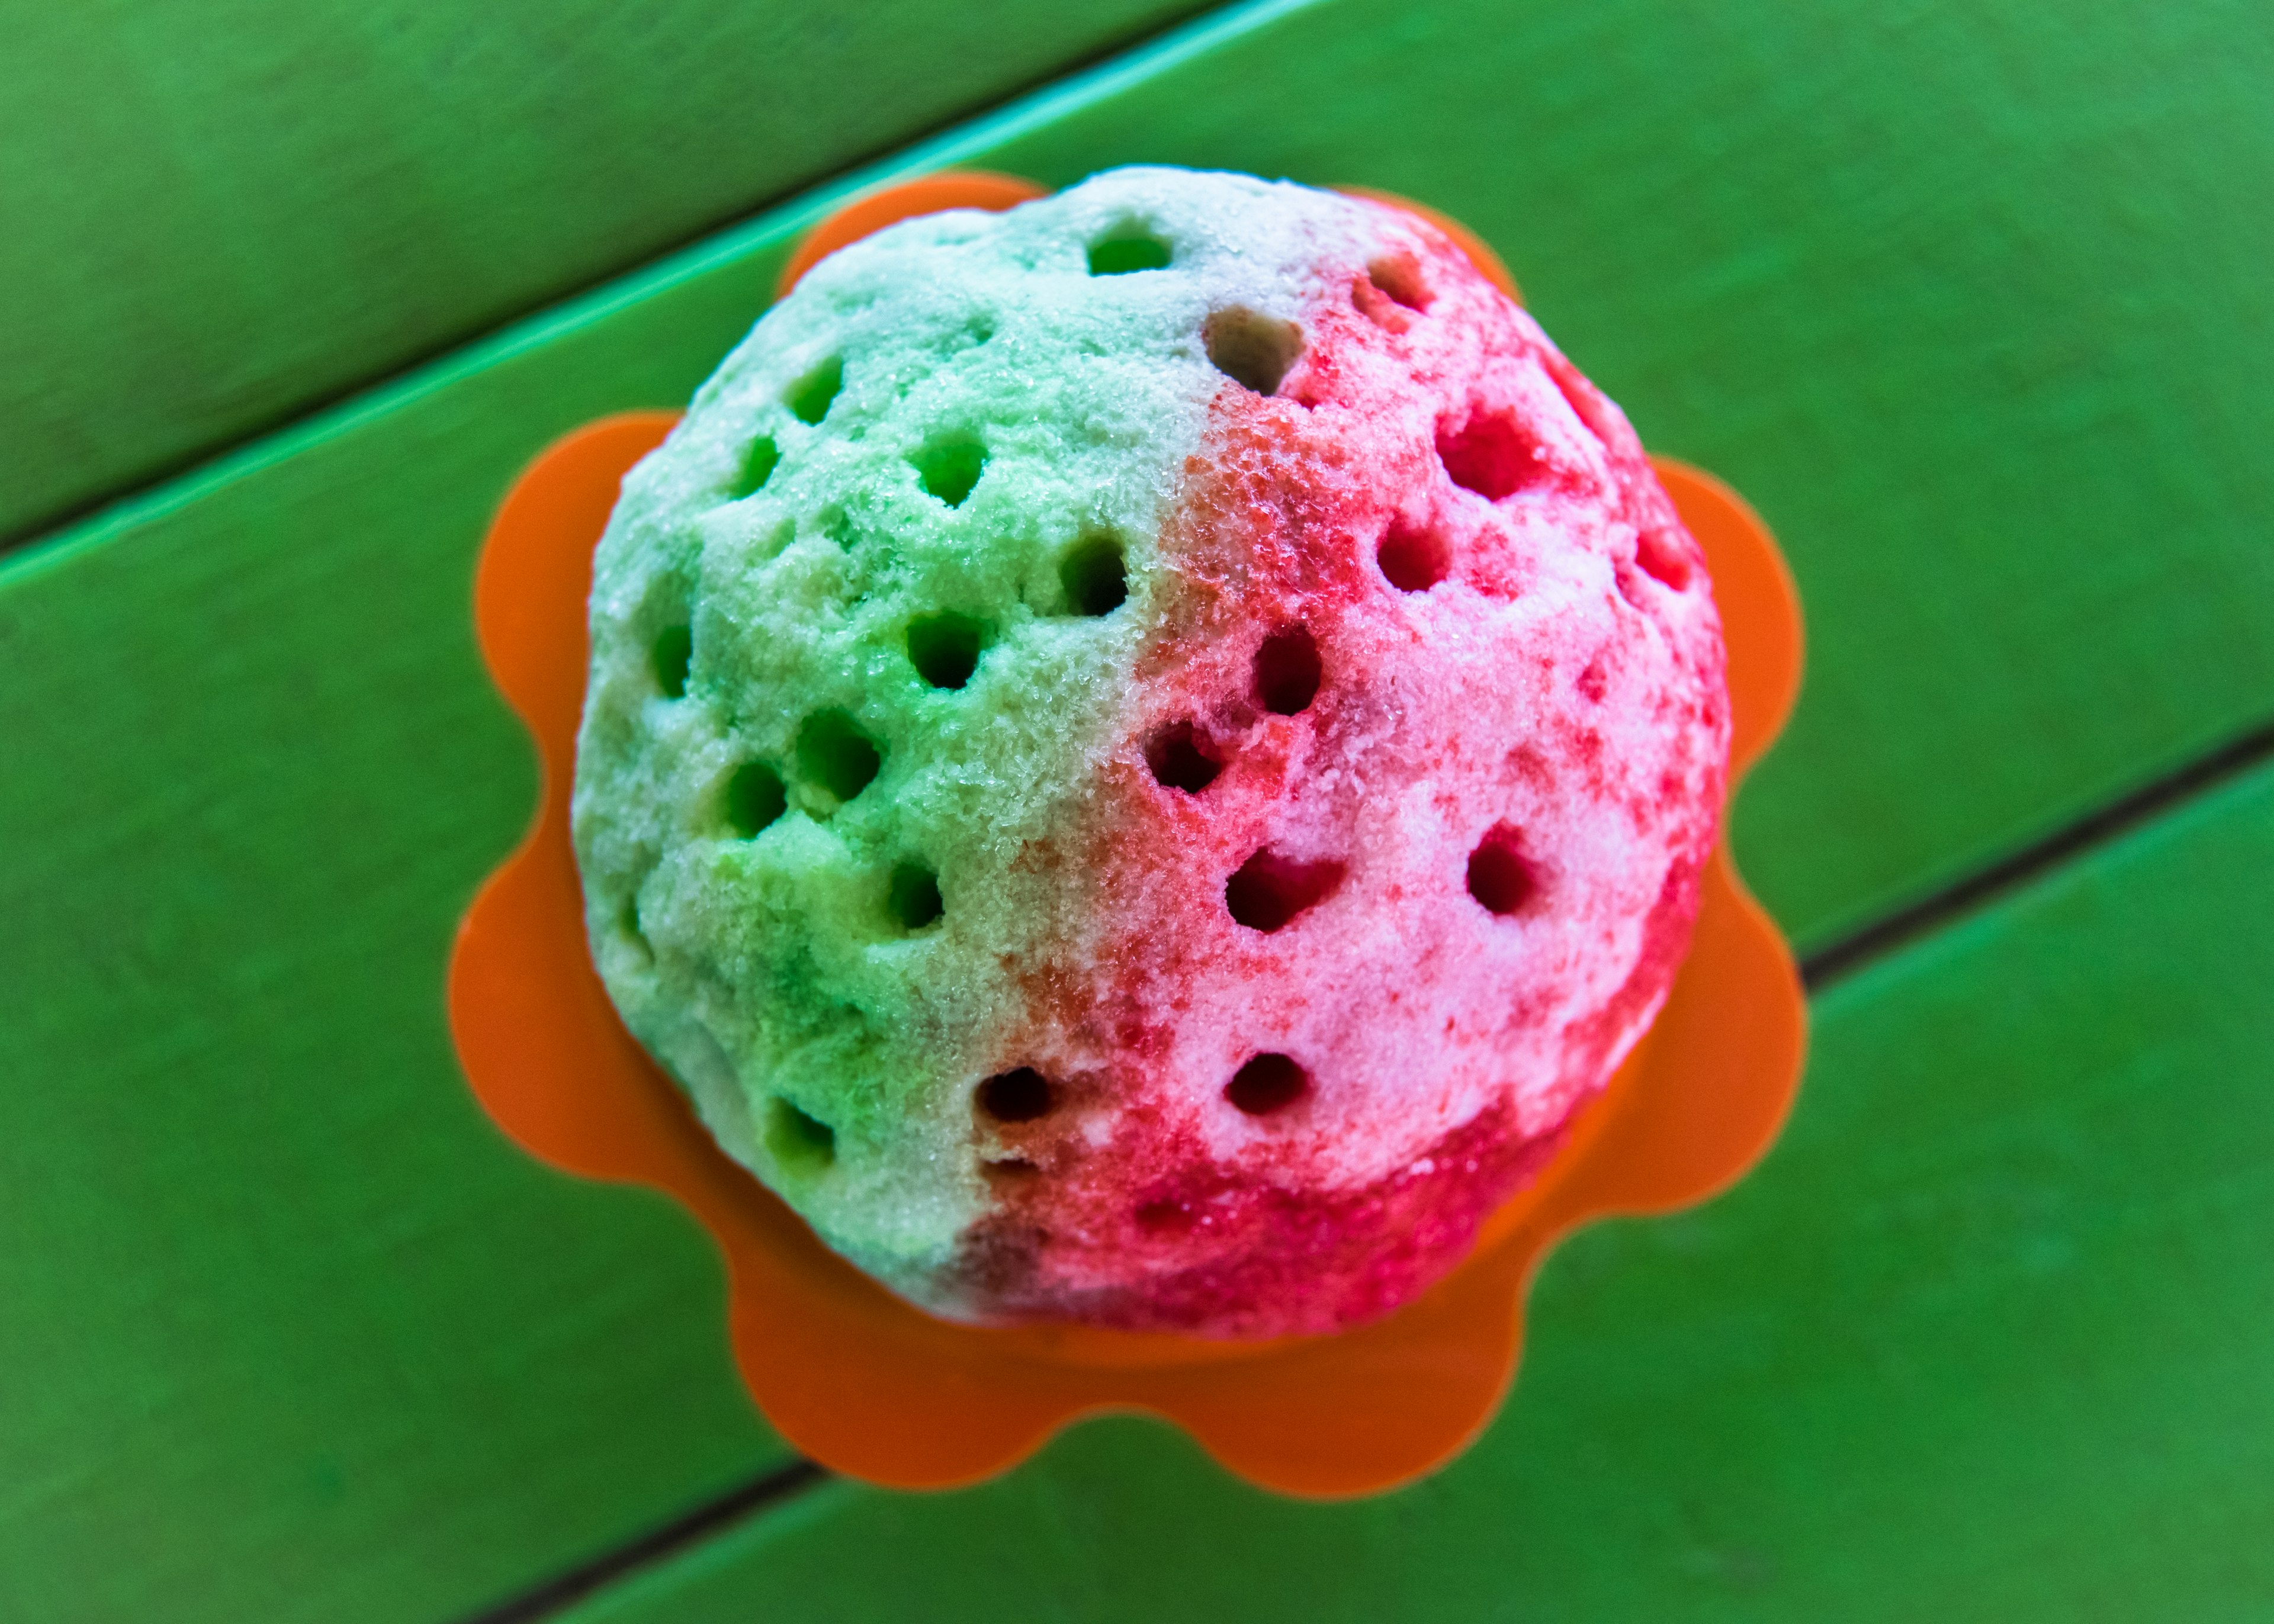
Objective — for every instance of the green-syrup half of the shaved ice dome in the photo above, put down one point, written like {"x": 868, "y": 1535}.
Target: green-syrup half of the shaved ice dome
{"x": 863, "y": 633}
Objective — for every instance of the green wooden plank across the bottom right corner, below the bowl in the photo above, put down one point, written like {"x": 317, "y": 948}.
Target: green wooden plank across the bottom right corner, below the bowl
{"x": 1986, "y": 1339}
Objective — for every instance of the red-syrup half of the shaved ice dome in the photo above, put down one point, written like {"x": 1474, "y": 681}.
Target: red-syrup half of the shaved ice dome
{"x": 1397, "y": 854}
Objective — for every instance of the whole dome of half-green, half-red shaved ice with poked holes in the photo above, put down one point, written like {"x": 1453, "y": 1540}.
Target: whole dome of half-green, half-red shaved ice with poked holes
{"x": 1147, "y": 752}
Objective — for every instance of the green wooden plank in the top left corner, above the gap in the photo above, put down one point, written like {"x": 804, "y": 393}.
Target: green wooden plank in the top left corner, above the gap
{"x": 219, "y": 215}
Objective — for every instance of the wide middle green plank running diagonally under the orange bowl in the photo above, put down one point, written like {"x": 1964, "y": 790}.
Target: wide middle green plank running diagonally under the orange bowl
{"x": 265, "y": 761}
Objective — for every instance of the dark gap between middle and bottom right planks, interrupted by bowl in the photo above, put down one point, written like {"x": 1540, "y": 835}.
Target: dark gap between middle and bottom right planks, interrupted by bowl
{"x": 1818, "y": 972}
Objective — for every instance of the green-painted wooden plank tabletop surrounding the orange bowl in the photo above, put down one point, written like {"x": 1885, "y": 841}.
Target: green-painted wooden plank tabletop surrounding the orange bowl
{"x": 1973, "y": 306}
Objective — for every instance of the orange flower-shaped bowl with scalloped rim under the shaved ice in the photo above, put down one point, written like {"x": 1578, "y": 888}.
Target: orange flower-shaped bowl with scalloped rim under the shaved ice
{"x": 881, "y": 1391}
